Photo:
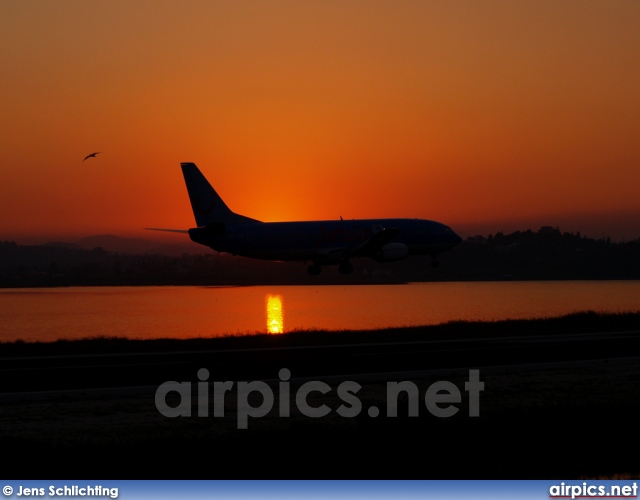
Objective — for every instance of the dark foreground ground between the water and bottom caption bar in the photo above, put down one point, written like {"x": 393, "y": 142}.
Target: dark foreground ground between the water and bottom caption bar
{"x": 570, "y": 411}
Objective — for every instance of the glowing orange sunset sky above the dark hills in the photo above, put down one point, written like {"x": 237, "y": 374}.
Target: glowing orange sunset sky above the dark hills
{"x": 487, "y": 116}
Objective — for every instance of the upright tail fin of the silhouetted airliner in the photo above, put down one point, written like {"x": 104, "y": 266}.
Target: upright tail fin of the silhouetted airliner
{"x": 208, "y": 207}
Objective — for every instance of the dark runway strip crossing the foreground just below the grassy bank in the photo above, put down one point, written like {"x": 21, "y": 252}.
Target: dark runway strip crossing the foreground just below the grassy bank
{"x": 132, "y": 369}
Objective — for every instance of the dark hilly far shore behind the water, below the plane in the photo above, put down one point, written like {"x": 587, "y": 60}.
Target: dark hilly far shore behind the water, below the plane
{"x": 547, "y": 254}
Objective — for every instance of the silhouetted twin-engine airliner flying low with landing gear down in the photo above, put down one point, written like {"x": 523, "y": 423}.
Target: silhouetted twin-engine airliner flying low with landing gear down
{"x": 320, "y": 243}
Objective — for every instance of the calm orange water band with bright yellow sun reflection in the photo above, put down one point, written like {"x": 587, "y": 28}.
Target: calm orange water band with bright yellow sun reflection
{"x": 182, "y": 312}
